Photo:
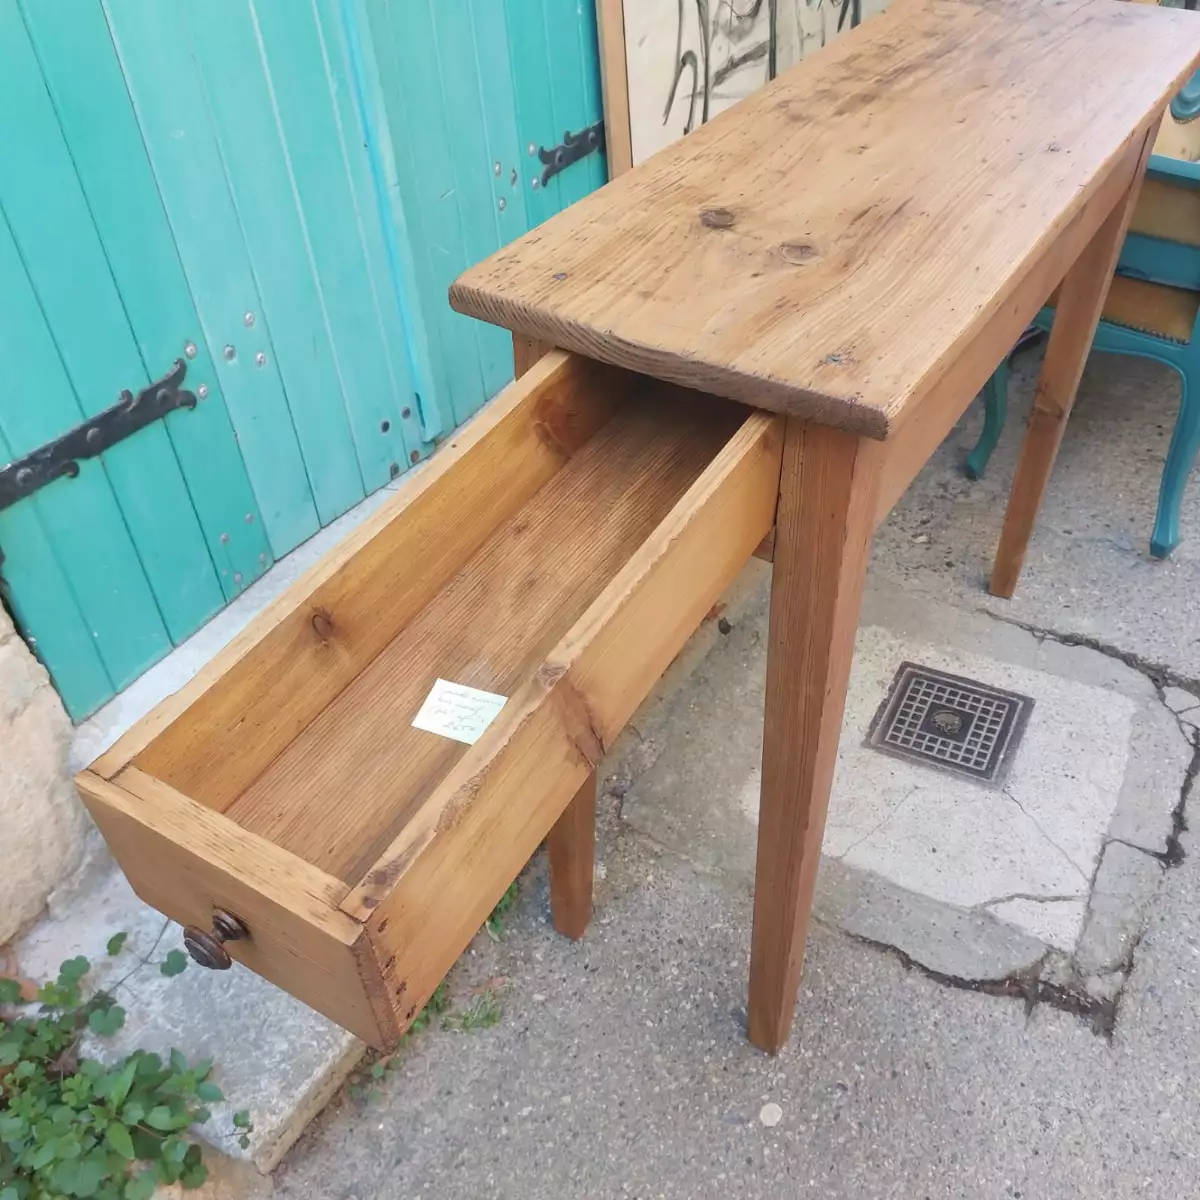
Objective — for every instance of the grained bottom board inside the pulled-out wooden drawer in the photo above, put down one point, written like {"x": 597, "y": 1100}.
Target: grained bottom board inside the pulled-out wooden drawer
{"x": 343, "y": 790}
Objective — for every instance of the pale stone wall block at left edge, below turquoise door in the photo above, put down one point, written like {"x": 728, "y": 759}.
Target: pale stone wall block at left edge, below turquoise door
{"x": 43, "y": 824}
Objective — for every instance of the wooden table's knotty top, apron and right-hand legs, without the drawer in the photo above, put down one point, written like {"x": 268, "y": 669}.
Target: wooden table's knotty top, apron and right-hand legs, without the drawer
{"x": 857, "y": 247}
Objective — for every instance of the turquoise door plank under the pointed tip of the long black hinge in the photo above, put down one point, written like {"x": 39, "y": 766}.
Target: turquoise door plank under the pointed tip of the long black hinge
{"x": 86, "y": 83}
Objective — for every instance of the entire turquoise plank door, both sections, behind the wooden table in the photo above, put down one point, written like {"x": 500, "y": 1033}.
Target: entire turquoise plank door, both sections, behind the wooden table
{"x": 279, "y": 195}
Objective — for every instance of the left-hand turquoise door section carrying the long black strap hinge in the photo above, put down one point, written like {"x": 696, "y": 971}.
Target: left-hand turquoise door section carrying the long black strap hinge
{"x": 106, "y": 571}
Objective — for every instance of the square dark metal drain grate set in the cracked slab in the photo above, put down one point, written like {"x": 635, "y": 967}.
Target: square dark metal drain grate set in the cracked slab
{"x": 947, "y": 722}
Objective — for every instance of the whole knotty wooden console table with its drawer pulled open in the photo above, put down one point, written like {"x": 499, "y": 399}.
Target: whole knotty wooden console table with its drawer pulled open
{"x": 769, "y": 329}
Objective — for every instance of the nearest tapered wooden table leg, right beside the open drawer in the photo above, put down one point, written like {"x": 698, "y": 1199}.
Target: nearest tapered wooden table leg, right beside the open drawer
{"x": 827, "y": 500}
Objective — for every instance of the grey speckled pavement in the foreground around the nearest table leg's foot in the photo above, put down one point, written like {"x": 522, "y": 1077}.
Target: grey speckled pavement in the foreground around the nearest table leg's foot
{"x": 621, "y": 1070}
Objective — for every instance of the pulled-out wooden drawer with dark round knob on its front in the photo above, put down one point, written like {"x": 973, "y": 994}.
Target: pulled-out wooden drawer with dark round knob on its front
{"x": 560, "y": 551}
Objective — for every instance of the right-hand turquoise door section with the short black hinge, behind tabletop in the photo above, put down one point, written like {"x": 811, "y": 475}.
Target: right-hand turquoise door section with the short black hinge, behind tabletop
{"x": 466, "y": 93}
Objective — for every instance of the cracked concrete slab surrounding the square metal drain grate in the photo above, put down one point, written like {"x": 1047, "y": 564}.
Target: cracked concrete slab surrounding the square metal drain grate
{"x": 969, "y": 880}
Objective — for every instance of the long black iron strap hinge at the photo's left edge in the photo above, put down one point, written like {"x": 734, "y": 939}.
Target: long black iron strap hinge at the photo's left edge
{"x": 61, "y": 458}
